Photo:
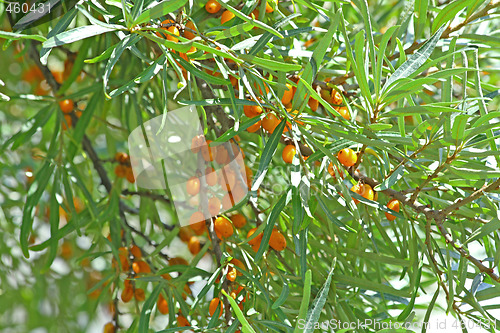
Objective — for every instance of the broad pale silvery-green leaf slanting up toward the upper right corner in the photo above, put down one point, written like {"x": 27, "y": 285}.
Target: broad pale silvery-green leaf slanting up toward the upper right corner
{"x": 415, "y": 60}
